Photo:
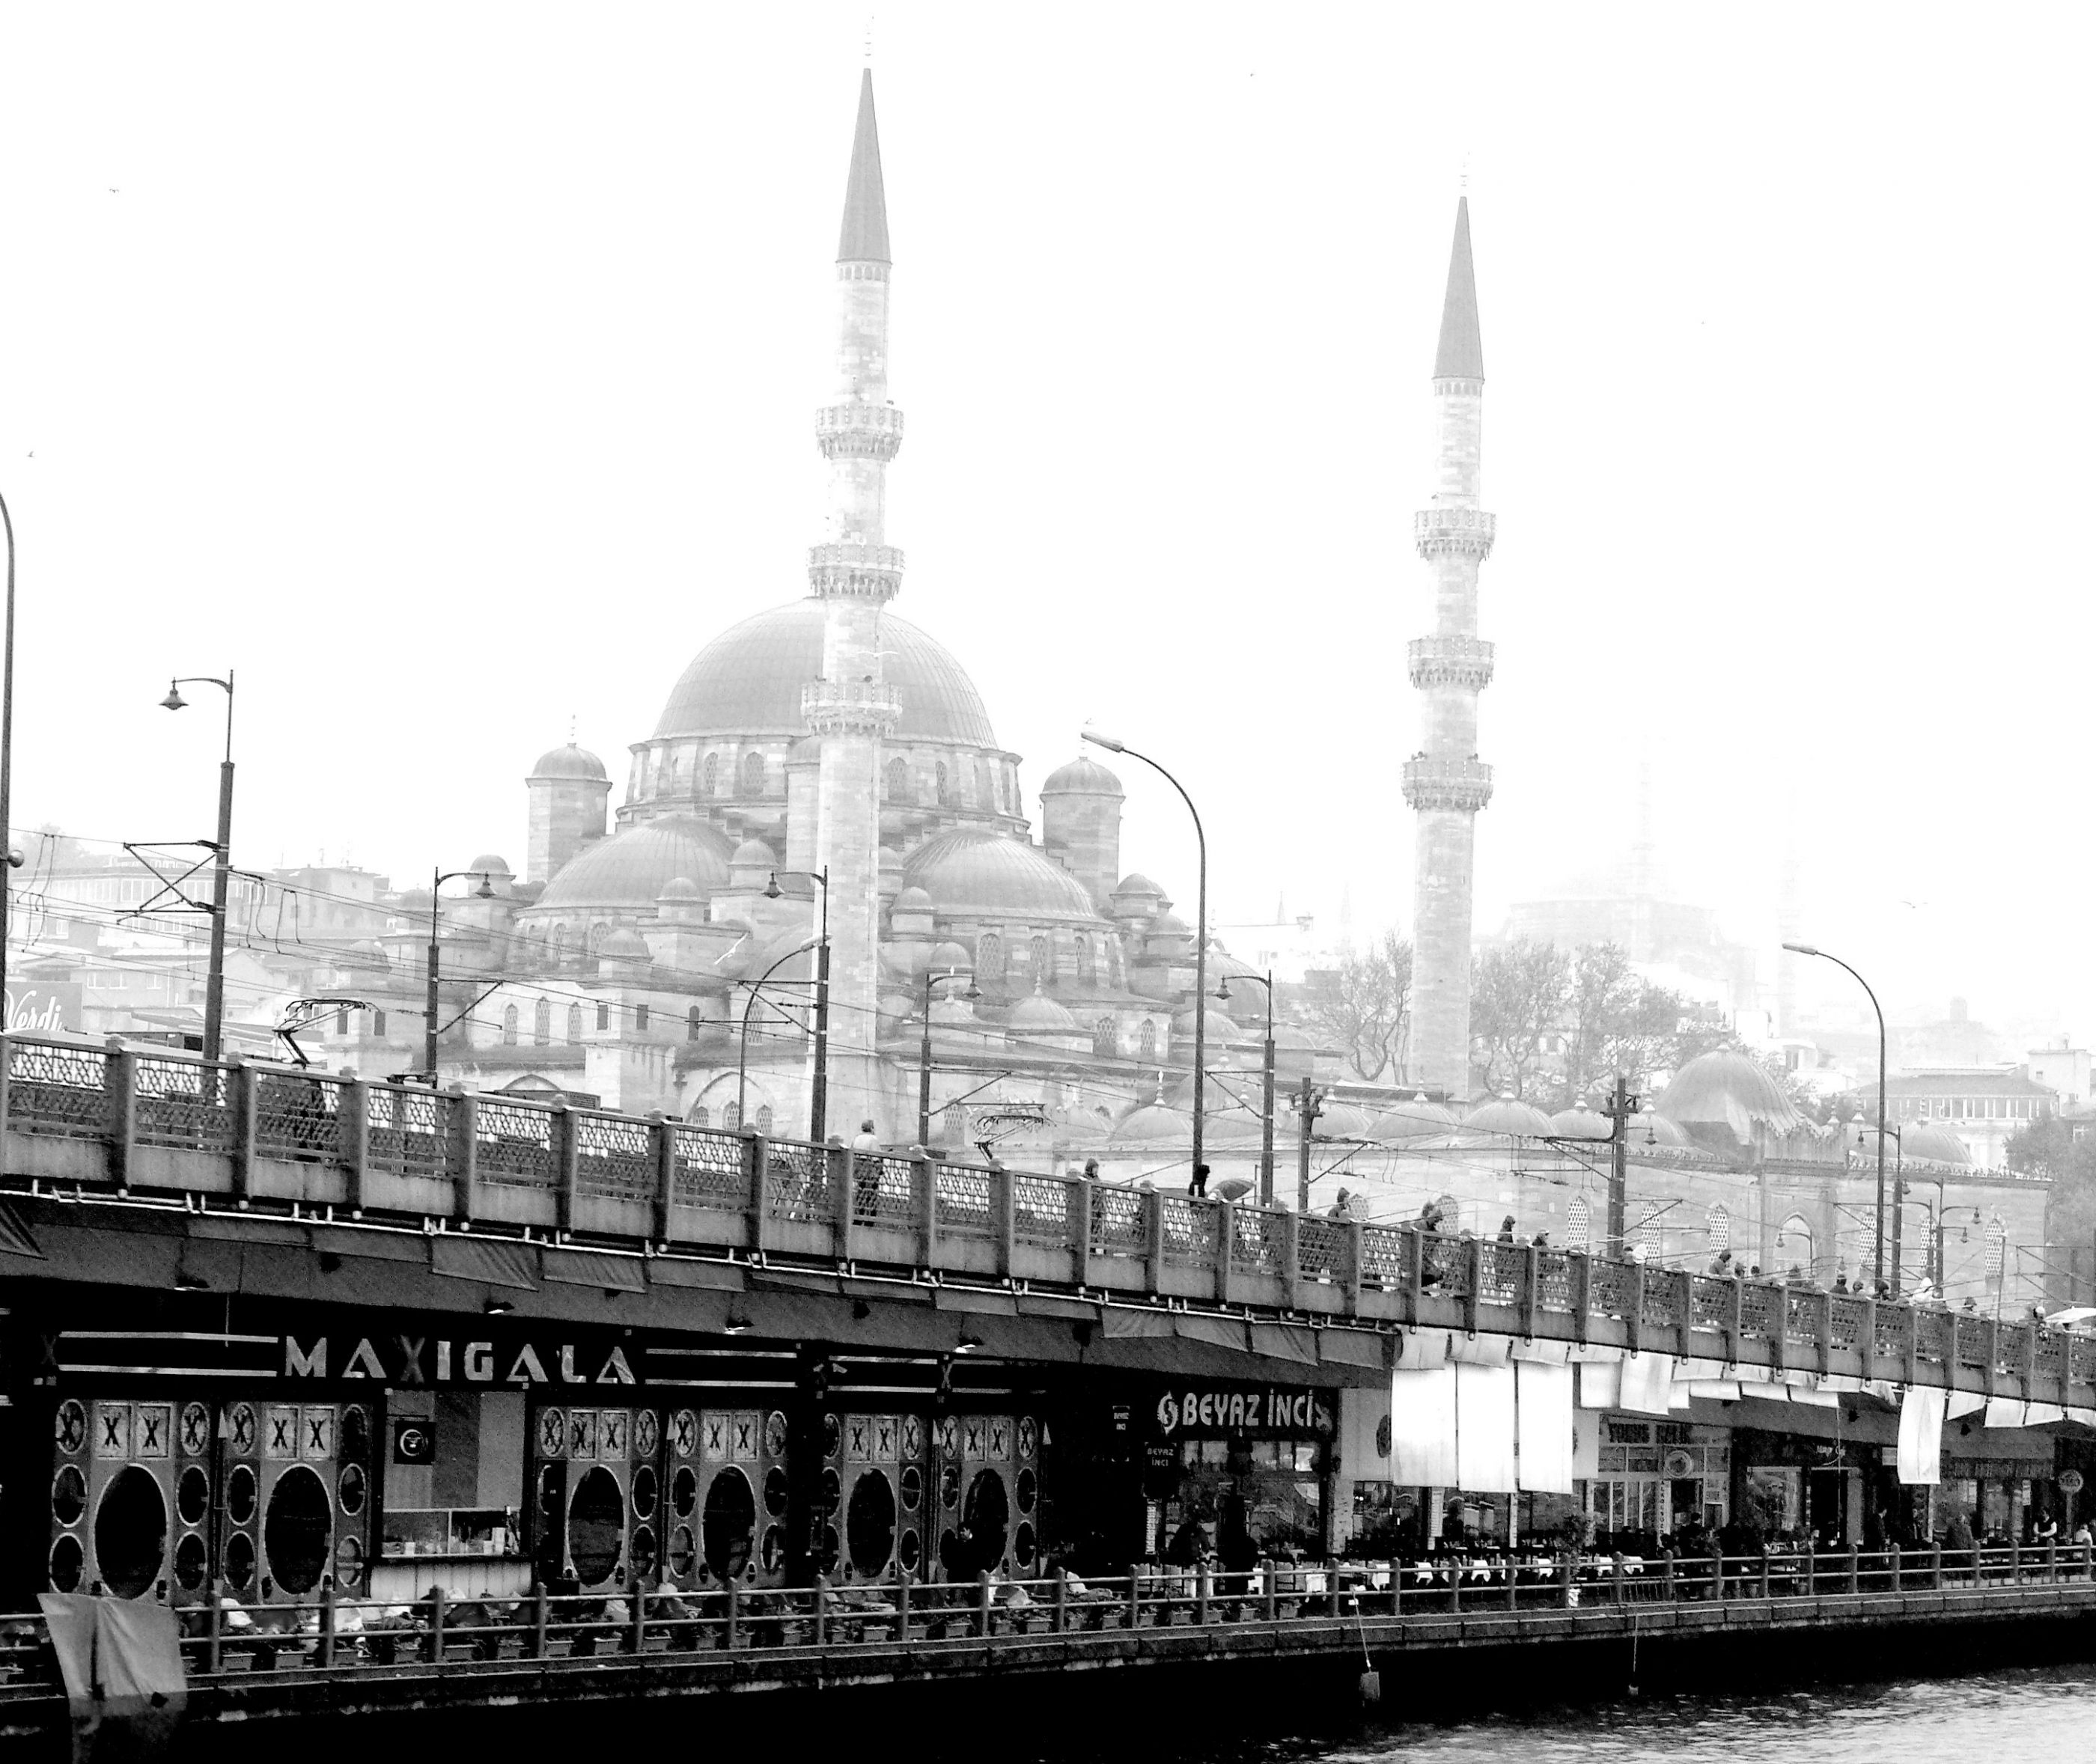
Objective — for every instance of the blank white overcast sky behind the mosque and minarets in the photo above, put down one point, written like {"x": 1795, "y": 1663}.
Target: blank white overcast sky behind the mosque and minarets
{"x": 450, "y": 372}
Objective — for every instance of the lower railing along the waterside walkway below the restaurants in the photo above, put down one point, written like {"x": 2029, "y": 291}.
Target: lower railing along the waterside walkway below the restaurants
{"x": 345, "y": 1637}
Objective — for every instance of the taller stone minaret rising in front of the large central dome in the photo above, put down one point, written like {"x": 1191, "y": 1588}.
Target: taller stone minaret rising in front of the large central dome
{"x": 854, "y": 573}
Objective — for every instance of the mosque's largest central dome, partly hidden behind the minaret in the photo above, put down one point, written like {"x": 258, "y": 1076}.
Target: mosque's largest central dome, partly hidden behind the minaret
{"x": 747, "y": 682}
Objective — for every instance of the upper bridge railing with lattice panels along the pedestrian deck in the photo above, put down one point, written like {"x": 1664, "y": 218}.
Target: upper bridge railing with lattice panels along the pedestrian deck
{"x": 123, "y": 1120}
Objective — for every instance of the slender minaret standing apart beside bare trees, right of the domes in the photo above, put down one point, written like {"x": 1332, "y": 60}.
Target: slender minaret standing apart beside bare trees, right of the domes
{"x": 1445, "y": 785}
